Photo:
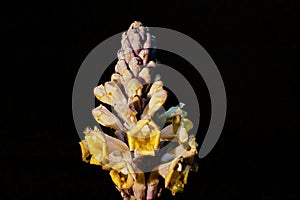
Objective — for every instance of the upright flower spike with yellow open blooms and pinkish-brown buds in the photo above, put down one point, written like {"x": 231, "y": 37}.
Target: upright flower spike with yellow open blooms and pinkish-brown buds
{"x": 135, "y": 97}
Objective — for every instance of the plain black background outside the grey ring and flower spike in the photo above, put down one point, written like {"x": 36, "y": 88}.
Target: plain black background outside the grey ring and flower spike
{"x": 254, "y": 44}
